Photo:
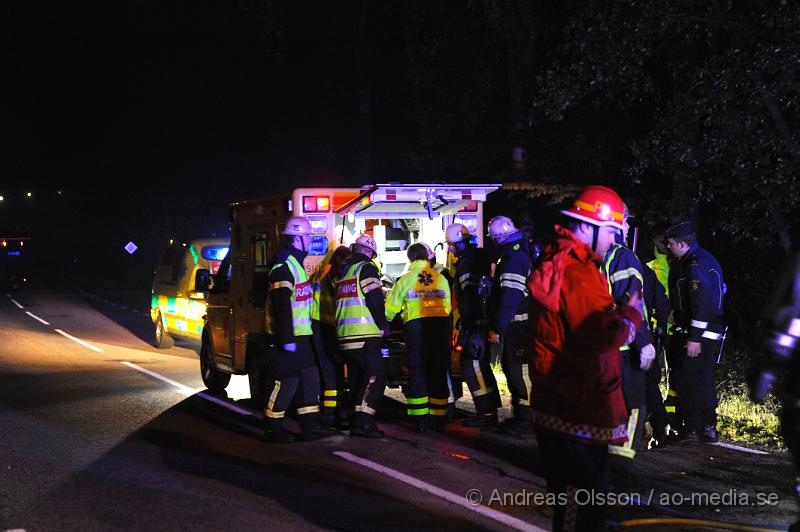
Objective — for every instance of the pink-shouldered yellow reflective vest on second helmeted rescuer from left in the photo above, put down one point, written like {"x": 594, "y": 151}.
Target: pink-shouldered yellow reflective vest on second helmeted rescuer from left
{"x": 353, "y": 318}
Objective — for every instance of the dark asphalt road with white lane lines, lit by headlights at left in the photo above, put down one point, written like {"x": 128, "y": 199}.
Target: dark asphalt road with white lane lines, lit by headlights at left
{"x": 101, "y": 431}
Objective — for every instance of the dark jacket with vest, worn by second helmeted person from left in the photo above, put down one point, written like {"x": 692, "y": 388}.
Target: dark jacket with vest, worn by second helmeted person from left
{"x": 354, "y": 319}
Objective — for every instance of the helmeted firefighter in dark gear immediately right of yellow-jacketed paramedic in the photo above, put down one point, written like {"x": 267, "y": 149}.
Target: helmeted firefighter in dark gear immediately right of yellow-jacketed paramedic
{"x": 476, "y": 368}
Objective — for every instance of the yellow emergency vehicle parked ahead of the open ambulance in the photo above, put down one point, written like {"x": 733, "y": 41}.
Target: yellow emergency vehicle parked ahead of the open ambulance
{"x": 180, "y": 288}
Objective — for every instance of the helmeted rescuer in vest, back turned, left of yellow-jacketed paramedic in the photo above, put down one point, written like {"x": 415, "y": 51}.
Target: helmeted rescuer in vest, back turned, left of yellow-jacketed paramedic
{"x": 360, "y": 325}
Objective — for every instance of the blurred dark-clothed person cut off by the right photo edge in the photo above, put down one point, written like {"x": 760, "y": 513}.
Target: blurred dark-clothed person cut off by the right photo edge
{"x": 780, "y": 361}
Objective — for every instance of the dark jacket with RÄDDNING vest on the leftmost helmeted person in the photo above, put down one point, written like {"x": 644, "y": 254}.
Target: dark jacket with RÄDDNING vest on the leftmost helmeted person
{"x": 288, "y": 283}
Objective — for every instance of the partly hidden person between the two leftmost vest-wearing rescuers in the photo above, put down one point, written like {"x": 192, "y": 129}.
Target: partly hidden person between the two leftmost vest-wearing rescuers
{"x": 331, "y": 366}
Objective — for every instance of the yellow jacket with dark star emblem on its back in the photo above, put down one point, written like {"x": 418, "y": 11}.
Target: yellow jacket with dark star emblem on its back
{"x": 422, "y": 292}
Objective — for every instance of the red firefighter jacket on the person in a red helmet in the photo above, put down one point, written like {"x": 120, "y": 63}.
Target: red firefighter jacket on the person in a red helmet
{"x": 577, "y": 332}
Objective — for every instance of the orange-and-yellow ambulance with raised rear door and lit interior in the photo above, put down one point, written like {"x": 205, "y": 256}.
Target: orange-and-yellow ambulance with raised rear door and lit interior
{"x": 395, "y": 215}
